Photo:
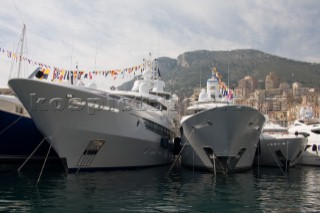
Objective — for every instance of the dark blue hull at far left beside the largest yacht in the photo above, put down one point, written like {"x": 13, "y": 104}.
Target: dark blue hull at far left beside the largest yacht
{"x": 19, "y": 140}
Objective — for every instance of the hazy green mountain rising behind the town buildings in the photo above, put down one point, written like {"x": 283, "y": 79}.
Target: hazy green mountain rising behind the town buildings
{"x": 192, "y": 69}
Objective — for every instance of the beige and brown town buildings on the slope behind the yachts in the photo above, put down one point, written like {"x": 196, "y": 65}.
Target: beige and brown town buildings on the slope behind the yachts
{"x": 278, "y": 100}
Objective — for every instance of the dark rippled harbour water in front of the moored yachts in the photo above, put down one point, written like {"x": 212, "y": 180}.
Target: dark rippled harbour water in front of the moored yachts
{"x": 150, "y": 190}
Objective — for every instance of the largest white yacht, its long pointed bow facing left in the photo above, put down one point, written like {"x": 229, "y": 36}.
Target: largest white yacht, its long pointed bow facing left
{"x": 94, "y": 129}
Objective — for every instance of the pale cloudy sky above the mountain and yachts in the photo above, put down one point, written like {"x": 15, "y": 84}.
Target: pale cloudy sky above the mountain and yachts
{"x": 116, "y": 34}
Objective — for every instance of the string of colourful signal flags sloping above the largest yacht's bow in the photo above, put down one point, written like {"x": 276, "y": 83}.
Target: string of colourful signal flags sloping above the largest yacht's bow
{"x": 65, "y": 74}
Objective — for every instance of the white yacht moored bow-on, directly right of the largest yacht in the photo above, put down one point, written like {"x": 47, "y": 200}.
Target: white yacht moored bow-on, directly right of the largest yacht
{"x": 223, "y": 136}
